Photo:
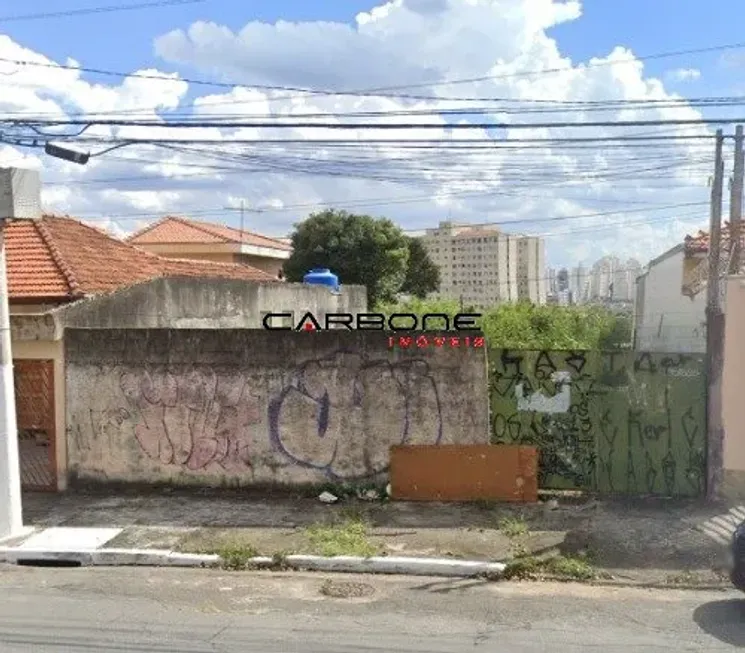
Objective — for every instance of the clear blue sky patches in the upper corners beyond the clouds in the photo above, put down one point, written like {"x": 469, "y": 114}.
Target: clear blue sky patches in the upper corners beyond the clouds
{"x": 124, "y": 40}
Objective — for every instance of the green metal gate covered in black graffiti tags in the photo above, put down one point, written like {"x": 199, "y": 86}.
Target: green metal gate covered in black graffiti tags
{"x": 625, "y": 422}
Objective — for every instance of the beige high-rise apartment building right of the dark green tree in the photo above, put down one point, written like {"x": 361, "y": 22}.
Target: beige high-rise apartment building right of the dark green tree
{"x": 485, "y": 266}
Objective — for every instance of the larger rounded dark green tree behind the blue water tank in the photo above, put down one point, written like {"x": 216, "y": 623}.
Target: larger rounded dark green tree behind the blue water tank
{"x": 359, "y": 249}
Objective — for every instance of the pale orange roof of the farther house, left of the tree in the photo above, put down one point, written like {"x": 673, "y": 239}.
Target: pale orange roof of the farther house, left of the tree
{"x": 173, "y": 230}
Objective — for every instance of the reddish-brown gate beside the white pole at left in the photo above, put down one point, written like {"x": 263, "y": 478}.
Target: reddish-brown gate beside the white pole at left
{"x": 34, "y": 388}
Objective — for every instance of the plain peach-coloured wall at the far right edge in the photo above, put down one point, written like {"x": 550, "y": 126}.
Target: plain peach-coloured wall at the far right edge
{"x": 733, "y": 381}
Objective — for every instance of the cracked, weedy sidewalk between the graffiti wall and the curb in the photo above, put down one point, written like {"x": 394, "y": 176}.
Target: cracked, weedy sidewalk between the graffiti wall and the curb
{"x": 618, "y": 534}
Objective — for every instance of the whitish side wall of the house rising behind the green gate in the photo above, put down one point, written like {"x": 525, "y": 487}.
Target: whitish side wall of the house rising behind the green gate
{"x": 667, "y": 320}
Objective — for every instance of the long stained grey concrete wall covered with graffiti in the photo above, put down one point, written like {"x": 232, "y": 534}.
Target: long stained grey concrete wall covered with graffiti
{"x": 250, "y": 407}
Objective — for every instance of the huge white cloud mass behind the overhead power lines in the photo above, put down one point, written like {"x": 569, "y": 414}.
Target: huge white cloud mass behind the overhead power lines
{"x": 419, "y": 44}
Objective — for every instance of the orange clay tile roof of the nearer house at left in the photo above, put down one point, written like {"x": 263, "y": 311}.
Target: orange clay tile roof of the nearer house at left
{"x": 60, "y": 259}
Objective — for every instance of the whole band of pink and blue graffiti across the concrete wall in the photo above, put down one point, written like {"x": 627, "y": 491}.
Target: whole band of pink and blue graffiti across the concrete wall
{"x": 336, "y": 415}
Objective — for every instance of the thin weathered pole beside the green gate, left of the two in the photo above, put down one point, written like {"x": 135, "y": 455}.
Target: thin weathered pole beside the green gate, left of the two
{"x": 715, "y": 332}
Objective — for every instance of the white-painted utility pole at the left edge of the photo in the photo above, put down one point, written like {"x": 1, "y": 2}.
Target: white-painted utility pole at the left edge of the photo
{"x": 11, "y": 515}
